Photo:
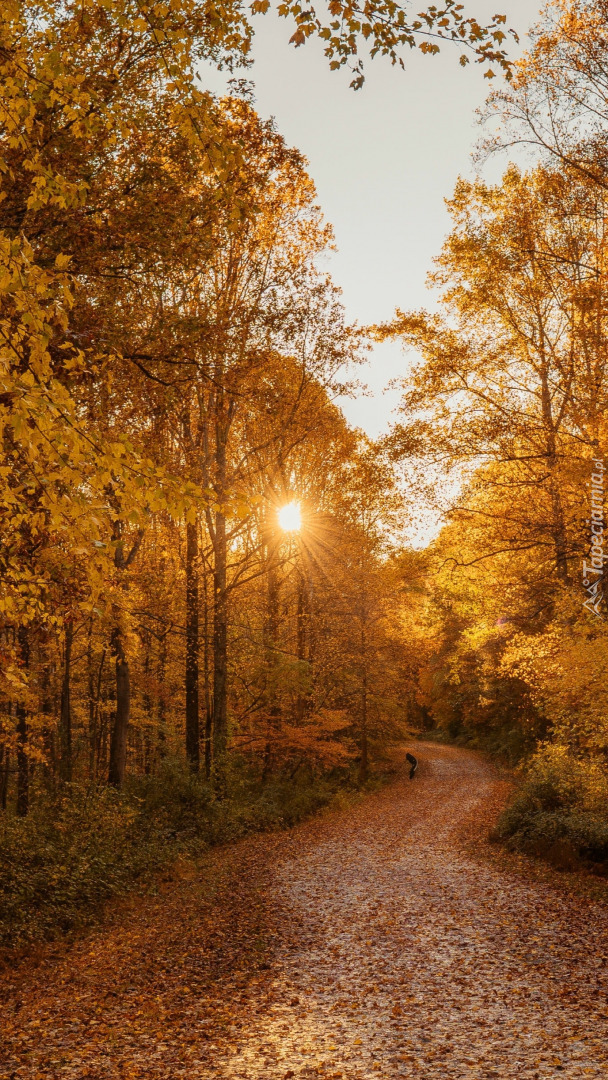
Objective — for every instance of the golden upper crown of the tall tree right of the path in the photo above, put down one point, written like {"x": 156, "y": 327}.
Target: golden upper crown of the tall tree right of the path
{"x": 511, "y": 393}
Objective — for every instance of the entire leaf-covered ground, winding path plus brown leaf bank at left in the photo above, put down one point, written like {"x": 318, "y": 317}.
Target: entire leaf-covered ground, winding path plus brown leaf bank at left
{"x": 380, "y": 941}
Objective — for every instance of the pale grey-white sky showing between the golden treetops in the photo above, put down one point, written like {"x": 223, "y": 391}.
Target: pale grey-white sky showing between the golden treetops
{"x": 384, "y": 160}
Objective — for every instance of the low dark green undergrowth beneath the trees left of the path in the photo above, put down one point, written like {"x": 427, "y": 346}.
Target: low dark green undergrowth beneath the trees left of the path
{"x": 71, "y": 855}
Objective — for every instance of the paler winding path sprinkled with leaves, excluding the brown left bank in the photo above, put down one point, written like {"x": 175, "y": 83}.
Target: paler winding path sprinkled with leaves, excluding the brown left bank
{"x": 403, "y": 955}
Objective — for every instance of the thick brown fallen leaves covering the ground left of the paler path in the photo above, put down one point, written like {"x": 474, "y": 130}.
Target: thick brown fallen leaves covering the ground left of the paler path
{"x": 151, "y": 995}
